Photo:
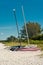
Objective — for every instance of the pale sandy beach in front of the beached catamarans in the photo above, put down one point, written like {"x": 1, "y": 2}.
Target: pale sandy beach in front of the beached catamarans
{"x": 8, "y": 57}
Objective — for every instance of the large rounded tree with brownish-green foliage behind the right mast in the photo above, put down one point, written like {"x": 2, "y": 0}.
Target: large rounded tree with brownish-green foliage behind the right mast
{"x": 32, "y": 29}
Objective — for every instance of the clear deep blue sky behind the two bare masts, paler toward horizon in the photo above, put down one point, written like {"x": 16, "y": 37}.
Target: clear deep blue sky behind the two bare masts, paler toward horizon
{"x": 33, "y": 12}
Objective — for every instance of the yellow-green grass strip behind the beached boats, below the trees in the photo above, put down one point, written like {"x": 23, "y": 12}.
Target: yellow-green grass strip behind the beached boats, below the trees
{"x": 39, "y": 43}
